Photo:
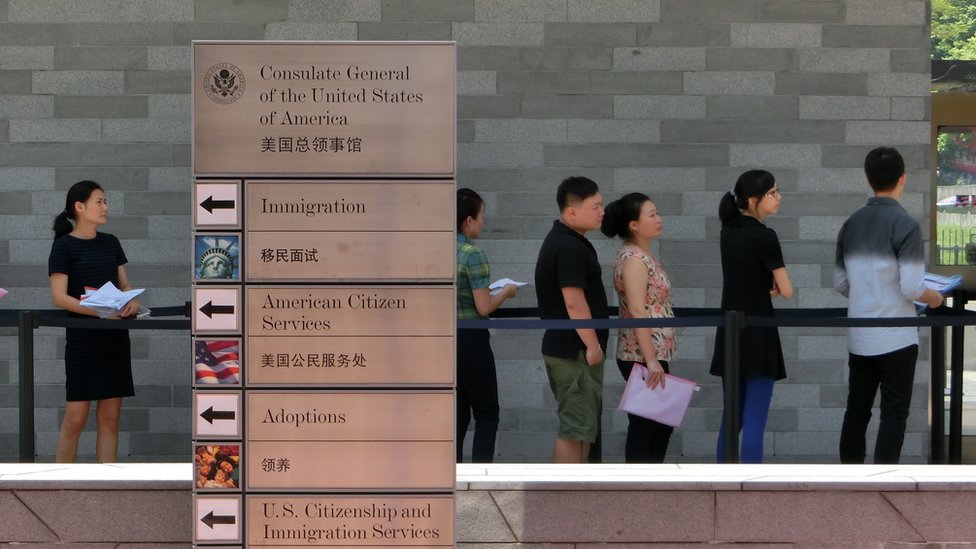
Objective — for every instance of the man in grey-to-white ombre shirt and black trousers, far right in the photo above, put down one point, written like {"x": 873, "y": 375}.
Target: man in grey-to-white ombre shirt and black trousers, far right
{"x": 880, "y": 268}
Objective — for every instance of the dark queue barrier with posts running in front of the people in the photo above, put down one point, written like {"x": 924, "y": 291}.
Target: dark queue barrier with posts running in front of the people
{"x": 732, "y": 322}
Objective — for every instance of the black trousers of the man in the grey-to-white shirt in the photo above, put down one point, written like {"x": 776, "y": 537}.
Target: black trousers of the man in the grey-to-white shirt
{"x": 894, "y": 373}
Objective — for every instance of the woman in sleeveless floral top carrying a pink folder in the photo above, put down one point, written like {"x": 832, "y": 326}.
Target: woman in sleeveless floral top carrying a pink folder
{"x": 643, "y": 291}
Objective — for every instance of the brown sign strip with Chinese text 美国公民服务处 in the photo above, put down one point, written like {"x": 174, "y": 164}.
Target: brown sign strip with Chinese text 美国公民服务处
{"x": 306, "y": 361}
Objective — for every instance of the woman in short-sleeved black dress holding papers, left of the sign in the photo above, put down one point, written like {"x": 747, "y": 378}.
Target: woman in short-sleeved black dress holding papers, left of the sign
{"x": 96, "y": 362}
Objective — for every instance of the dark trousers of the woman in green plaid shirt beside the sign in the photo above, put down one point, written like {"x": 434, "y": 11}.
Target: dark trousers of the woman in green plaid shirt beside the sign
{"x": 477, "y": 394}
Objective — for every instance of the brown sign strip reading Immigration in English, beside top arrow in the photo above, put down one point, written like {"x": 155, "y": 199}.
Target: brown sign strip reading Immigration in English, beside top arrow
{"x": 350, "y": 206}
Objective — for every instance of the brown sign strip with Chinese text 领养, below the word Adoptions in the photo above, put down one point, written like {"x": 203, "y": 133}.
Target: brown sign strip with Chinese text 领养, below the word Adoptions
{"x": 351, "y": 465}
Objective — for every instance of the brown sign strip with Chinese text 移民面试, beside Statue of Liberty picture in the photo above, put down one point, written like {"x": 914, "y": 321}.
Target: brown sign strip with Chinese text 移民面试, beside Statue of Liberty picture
{"x": 350, "y": 257}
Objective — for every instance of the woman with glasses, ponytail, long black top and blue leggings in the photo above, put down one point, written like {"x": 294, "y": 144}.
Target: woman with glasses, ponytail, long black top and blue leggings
{"x": 753, "y": 273}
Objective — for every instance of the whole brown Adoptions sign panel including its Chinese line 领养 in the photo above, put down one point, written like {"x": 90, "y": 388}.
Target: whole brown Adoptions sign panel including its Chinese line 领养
{"x": 347, "y": 441}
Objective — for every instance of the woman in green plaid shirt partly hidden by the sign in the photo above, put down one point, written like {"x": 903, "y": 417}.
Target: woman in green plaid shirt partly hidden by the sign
{"x": 477, "y": 383}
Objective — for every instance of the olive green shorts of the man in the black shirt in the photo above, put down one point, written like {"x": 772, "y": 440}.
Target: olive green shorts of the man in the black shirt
{"x": 578, "y": 389}
